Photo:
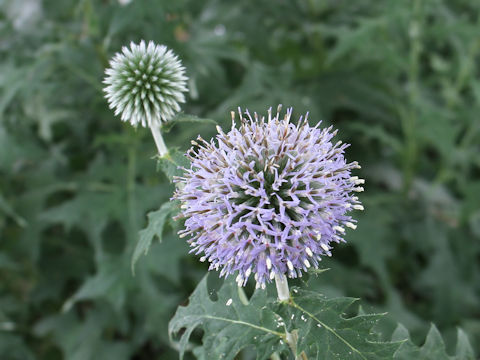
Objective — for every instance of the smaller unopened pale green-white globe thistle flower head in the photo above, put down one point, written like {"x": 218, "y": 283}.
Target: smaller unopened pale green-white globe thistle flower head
{"x": 145, "y": 84}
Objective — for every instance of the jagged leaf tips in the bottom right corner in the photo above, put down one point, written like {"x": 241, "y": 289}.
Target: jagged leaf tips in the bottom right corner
{"x": 434, "y": 347}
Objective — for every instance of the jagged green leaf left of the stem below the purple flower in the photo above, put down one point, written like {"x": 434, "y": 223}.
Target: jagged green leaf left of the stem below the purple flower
{"x": 229, "y": 324}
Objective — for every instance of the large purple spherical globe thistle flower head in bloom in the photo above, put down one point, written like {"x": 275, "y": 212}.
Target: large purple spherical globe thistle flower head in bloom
{"x": 268, "y": 197}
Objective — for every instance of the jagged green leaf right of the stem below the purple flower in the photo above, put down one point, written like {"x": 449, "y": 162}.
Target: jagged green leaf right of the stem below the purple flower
{"x": 324, "y": 333}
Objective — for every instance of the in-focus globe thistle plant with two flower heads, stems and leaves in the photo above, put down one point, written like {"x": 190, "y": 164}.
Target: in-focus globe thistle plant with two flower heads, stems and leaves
{"x": 267, "y": 200}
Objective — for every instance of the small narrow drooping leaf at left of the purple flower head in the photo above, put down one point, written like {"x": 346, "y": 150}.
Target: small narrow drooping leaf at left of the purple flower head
{"x": 156, "y": 223}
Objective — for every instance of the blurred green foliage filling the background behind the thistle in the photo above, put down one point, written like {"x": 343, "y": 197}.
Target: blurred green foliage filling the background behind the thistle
{"x": 400, "y": 79}
